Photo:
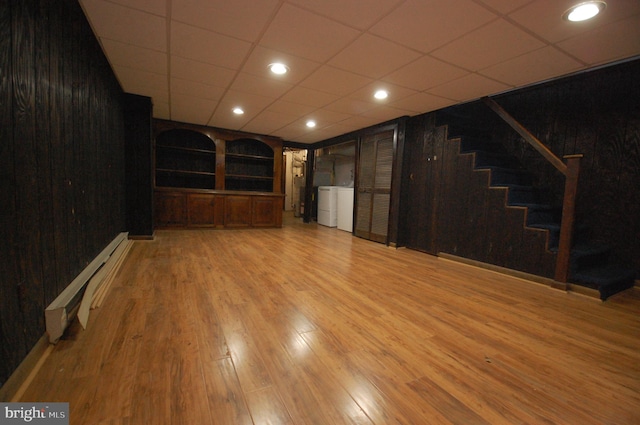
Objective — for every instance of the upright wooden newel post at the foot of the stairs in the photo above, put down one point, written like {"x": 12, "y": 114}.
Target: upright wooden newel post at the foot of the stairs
{"x": 568, "y": 216}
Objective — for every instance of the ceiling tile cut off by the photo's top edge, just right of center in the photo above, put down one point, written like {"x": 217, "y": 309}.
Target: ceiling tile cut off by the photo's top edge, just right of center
{"x": 350, "y": 12}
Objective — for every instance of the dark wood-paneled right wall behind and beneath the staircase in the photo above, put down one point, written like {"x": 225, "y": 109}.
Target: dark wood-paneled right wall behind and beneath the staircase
{"x": 596, "y": 114}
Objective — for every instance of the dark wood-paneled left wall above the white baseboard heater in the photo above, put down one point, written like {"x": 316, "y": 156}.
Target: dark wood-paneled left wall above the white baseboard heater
{"x": 61, "y": 162}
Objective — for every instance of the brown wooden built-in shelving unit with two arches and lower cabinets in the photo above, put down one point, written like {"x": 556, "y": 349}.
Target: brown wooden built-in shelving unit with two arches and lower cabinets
{"x": 207, "y": 177}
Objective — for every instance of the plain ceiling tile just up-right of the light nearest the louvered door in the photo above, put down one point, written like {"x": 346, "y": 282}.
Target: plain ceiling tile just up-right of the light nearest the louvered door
{"x": 425, "y": 73}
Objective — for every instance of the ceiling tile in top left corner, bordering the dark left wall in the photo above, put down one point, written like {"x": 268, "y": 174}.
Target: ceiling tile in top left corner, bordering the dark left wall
{"x": 115, "y": 22}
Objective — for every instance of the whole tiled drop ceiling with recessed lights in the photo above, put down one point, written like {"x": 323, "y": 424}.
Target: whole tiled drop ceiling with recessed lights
{"x": 198, "y": 59}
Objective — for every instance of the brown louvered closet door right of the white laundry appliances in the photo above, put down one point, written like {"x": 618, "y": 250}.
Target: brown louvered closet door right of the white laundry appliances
{"x": 374, "y": 186}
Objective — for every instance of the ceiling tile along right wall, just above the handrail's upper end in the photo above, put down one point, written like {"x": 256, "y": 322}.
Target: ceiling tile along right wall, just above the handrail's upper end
{"x": 535, "y": 66}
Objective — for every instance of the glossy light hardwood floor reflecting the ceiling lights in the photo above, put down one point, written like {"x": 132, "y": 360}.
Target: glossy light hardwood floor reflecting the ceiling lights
{"x": 309, "y": 325}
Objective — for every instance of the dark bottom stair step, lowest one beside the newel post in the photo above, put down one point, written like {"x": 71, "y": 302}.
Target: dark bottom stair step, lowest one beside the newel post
{"x": 608, "y": 280}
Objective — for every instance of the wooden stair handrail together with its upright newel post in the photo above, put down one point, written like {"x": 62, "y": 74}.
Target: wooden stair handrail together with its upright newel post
{"x": 571, "y": 172}
